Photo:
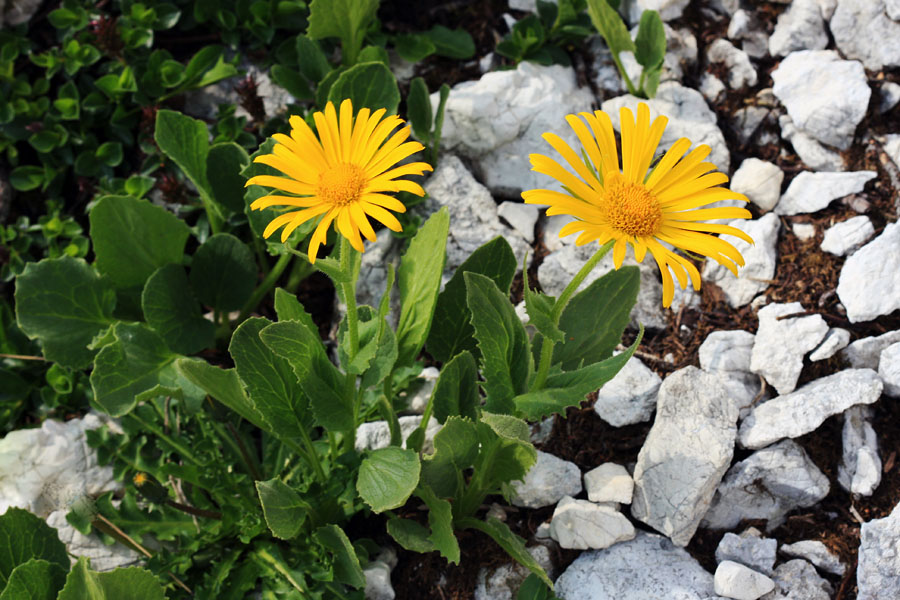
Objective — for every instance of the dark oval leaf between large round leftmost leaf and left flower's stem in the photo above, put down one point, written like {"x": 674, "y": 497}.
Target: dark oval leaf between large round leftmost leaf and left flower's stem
{"x": 171, "y": 309}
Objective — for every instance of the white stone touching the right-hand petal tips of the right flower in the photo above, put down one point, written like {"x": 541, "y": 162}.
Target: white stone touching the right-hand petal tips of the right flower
{"x": 759, "y": 261}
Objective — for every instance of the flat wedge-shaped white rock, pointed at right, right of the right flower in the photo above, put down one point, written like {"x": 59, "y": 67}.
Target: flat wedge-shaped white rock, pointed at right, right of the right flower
{"x": 810, "y": 192}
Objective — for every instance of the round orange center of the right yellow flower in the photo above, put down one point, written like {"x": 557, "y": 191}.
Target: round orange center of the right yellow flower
{"x": 630, "y": 207}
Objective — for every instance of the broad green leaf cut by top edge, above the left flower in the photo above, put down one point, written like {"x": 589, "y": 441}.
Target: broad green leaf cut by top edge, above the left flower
{"x": 344, "y": 19}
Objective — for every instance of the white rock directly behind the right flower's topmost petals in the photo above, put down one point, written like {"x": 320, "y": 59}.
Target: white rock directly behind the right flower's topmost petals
{"x": 688, "y": 114}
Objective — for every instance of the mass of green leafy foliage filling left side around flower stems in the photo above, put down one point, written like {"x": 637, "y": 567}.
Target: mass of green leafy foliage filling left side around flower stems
{"x": 137, "y": 282}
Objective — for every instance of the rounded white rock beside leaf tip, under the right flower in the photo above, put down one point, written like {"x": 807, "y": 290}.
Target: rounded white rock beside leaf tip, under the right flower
{"x": 630, "y": 397}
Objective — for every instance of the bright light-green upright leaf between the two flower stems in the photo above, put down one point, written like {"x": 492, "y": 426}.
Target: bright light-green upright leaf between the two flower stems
{"x": 419, "y": 280}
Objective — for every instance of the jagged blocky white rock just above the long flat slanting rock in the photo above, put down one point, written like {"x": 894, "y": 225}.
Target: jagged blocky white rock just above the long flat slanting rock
{"x": 781, "y": 344}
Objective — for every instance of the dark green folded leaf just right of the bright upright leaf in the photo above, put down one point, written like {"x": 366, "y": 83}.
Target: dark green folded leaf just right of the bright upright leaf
{"x": 451, "y": 330}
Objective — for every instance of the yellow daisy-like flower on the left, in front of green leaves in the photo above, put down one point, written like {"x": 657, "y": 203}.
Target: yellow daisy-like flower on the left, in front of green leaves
{"x": 341, "y": 175}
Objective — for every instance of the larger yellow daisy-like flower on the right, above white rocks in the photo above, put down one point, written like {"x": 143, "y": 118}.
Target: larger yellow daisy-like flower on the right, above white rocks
{"x": 639, "y": 205}
